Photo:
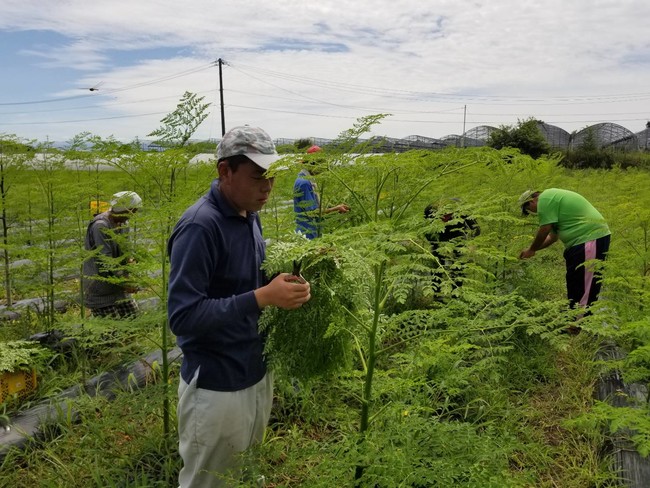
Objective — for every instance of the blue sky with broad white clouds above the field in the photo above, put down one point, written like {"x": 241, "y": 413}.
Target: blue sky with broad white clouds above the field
{"x": 302, "y": 69}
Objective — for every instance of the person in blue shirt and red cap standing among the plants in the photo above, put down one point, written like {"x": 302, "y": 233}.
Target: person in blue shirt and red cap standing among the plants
{"x": 306, "y": 202}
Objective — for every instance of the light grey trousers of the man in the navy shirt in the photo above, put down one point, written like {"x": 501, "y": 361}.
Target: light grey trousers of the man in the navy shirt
{"x": 215, "y": 427}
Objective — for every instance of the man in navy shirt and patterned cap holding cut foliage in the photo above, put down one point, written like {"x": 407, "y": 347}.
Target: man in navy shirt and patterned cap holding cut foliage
{"x": 216, "y": 293}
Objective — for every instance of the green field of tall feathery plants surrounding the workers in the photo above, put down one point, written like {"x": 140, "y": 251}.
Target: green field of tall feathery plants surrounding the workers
{"x": 399, "y": 372}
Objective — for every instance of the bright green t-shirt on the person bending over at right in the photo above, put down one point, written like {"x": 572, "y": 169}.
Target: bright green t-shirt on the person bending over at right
{"x": 574, "y": 219}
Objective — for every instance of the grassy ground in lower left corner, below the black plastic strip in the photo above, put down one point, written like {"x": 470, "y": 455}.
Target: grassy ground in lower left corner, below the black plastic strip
{"x": 115, "y": 442}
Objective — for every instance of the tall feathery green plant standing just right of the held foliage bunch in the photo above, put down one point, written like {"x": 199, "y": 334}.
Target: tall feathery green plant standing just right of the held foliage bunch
{"x": 384, "y": 255}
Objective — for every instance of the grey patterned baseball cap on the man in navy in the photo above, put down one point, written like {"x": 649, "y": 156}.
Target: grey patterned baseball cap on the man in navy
{"x": 251, "y": 142}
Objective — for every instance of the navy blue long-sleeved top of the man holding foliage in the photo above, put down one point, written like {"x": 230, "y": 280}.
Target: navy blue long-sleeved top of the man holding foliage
{"x": 216, "y": 257}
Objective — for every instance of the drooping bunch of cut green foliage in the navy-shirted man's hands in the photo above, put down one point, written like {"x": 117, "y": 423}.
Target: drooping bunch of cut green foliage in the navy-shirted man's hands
{"x": 313, "y": 340}
